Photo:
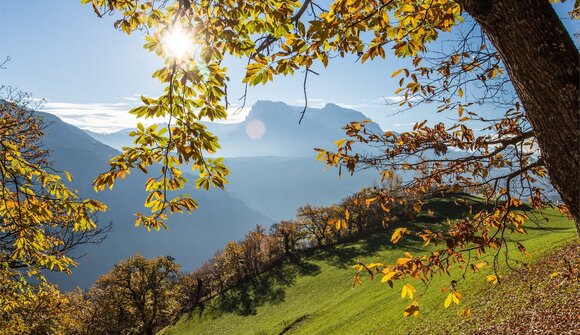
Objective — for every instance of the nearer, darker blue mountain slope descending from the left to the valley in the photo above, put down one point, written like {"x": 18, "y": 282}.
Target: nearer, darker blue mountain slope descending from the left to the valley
{"x": 222, "y": 216}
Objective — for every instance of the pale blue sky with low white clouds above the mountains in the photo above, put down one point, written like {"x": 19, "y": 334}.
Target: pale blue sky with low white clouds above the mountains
{"x": 90, "y": 74}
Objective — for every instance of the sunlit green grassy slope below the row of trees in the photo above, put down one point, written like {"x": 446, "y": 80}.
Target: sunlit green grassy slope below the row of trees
{"x": 314, "y": 296}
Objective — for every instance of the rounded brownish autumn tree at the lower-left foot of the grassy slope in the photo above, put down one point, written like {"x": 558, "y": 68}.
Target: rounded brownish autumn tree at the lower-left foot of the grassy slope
{"x": 136, "y": 297}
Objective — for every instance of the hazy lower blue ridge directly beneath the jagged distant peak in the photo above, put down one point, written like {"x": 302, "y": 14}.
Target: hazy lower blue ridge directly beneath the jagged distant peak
{"x": 277, "y": 186}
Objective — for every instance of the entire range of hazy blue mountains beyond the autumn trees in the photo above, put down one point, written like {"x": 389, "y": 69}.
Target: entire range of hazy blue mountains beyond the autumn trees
{"x": 271, "y": 176}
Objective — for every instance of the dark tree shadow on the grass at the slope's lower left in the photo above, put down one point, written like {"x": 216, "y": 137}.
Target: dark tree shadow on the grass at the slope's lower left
{"x": 268, "y": 287}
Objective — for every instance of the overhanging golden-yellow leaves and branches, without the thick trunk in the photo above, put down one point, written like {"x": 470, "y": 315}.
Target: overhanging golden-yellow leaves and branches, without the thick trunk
{"x": 494, "y": 156}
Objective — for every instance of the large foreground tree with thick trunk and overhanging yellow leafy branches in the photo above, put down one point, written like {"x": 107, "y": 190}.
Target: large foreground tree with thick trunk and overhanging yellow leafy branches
{"x": 499, "y": 47}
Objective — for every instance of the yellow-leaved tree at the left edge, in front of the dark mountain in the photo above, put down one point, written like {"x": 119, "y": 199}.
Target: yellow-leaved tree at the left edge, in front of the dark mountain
{"x": 41, "y": 218}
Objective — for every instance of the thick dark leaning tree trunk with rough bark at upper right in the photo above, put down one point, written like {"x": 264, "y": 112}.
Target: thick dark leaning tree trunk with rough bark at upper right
{"x": 543, "y": 64}
